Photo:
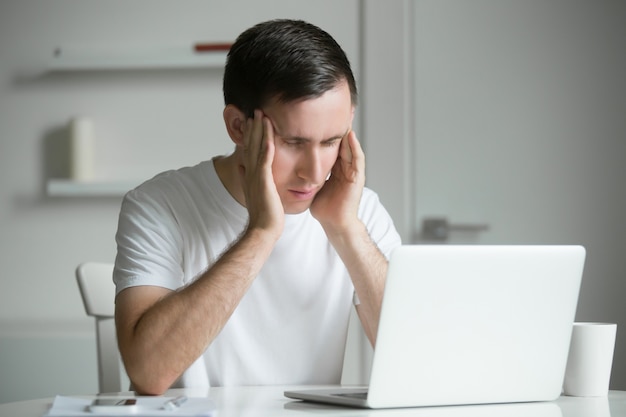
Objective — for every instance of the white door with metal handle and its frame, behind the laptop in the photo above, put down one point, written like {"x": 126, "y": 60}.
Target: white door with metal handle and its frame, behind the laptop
{"x": 510, "y": 118}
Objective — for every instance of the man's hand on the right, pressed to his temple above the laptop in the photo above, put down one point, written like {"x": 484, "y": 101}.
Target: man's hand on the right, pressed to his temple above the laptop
{"x": 337, "y": 203}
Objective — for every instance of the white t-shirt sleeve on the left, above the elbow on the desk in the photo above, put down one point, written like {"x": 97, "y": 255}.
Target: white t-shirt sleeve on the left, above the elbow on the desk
{"x": 148, "y": 243}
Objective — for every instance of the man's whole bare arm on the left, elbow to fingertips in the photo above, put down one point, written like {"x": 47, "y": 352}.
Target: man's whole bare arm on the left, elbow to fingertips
{"x": 152, "y": 321}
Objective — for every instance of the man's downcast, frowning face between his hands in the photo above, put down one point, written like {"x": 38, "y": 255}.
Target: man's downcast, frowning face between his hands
{"x": 307, "y": 137}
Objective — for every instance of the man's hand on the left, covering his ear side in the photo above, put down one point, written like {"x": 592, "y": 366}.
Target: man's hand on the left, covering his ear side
{"x": 262, "y": 200}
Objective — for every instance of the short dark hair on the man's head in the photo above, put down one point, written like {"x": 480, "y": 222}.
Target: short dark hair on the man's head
{"x": 284, "y": 59}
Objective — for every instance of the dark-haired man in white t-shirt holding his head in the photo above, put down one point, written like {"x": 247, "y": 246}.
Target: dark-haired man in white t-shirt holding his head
{"x": 242, "y": 270}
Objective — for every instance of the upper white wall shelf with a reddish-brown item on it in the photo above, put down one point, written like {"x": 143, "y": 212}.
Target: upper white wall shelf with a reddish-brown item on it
{"x": 140, "y": 58}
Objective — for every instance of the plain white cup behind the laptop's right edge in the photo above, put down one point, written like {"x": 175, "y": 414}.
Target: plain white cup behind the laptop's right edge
{"x": 590, "y": 360}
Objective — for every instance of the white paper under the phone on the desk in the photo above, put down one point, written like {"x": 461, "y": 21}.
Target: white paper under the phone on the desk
{"x": 146, "y": 407}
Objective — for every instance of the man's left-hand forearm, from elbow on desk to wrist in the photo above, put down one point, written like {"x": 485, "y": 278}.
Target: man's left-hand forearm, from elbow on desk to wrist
{"x": 169, "y": 335}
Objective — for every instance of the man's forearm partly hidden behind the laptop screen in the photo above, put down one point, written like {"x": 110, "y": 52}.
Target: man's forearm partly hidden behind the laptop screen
{"x": 367, "y": 267}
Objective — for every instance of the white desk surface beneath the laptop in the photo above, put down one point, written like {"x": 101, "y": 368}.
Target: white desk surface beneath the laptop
{"x": 269, "y": 401}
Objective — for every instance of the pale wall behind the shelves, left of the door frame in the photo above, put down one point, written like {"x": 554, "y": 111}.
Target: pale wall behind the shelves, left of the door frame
{"x": 145, "y": 121}
